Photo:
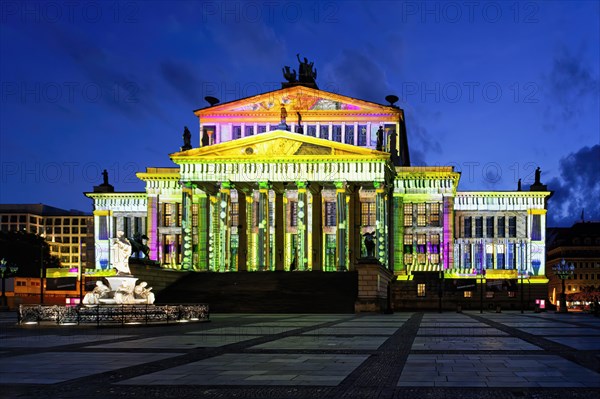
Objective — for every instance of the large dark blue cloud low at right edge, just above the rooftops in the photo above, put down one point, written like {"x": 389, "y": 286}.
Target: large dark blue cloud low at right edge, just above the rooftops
{"x": 577, "y": 189}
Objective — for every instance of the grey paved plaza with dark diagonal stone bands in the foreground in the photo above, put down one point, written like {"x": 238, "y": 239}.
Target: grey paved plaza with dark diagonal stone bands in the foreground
{"x": 402, "y": 355}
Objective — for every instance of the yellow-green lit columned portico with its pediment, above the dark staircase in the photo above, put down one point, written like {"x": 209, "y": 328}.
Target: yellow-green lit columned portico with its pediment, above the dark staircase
{"x": 282, "y": 201}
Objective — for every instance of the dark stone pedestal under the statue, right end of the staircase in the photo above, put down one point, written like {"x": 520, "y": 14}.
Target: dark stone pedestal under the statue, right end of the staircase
{"x": 373, "y": 282}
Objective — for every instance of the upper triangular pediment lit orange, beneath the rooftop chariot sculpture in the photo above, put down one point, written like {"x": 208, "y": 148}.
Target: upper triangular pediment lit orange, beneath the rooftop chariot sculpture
{"x": 296, "y": 99}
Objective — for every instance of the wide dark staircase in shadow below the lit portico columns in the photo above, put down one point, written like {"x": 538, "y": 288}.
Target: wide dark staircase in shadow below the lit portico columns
{"x": 266, "y": 292}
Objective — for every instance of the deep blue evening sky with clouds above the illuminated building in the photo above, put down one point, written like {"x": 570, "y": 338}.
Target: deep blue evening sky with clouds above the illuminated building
{"x": 494, "y": 88}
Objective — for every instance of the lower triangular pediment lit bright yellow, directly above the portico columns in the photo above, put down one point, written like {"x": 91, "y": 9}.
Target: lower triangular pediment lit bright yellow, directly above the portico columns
{"x": 275, "y": 146}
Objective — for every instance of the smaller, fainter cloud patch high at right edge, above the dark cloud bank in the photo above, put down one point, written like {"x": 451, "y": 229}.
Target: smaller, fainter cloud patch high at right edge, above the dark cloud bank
{"x": 568, "y": 86}
